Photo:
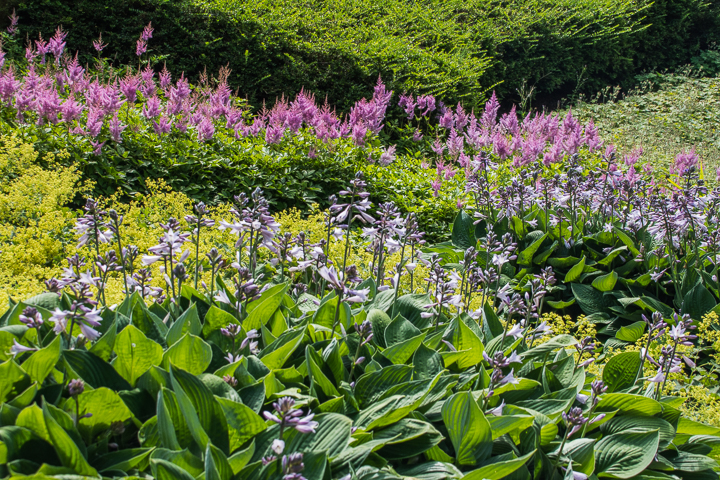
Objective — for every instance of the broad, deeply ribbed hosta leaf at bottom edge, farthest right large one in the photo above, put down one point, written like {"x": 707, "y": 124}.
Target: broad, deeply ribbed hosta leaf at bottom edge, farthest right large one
{"x": 624, "y": 455}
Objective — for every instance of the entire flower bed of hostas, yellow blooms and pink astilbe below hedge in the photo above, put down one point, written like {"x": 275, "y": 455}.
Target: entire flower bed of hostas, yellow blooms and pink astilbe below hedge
{"x": 567, "y": 327}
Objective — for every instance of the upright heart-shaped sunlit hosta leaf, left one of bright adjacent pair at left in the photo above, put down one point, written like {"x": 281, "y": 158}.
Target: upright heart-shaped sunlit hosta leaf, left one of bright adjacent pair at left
{"x": 136, "y": 354}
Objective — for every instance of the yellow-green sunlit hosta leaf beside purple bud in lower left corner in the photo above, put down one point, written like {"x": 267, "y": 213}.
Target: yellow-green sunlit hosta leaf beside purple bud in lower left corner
{"x": 105, "y": 406}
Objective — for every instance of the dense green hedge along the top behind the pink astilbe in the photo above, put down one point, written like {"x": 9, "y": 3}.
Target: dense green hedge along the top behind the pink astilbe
{"x": 454, "y": 48}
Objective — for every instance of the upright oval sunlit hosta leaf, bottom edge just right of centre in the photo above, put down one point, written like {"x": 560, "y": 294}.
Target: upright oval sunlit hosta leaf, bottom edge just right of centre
{"x": 469, "y": 430}
